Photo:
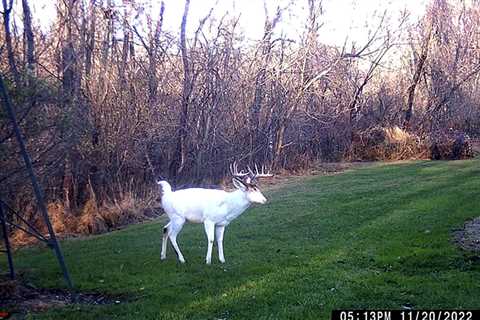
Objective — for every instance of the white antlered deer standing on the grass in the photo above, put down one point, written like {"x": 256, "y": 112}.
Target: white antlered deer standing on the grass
{"x": 214, "y": 208}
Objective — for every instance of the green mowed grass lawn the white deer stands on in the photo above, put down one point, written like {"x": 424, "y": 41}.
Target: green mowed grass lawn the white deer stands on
{"x": 376, "y": 237}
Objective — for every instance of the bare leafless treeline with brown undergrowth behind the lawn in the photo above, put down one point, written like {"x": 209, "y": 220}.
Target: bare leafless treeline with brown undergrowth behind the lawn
{"x": 108, "y": 100}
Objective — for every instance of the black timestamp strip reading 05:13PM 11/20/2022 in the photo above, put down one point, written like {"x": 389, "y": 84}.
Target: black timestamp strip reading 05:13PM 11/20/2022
{"x": 405, "y": 315}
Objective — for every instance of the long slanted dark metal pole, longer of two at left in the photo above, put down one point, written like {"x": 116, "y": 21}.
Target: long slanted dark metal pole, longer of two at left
{"x": 36, "y": 188}
